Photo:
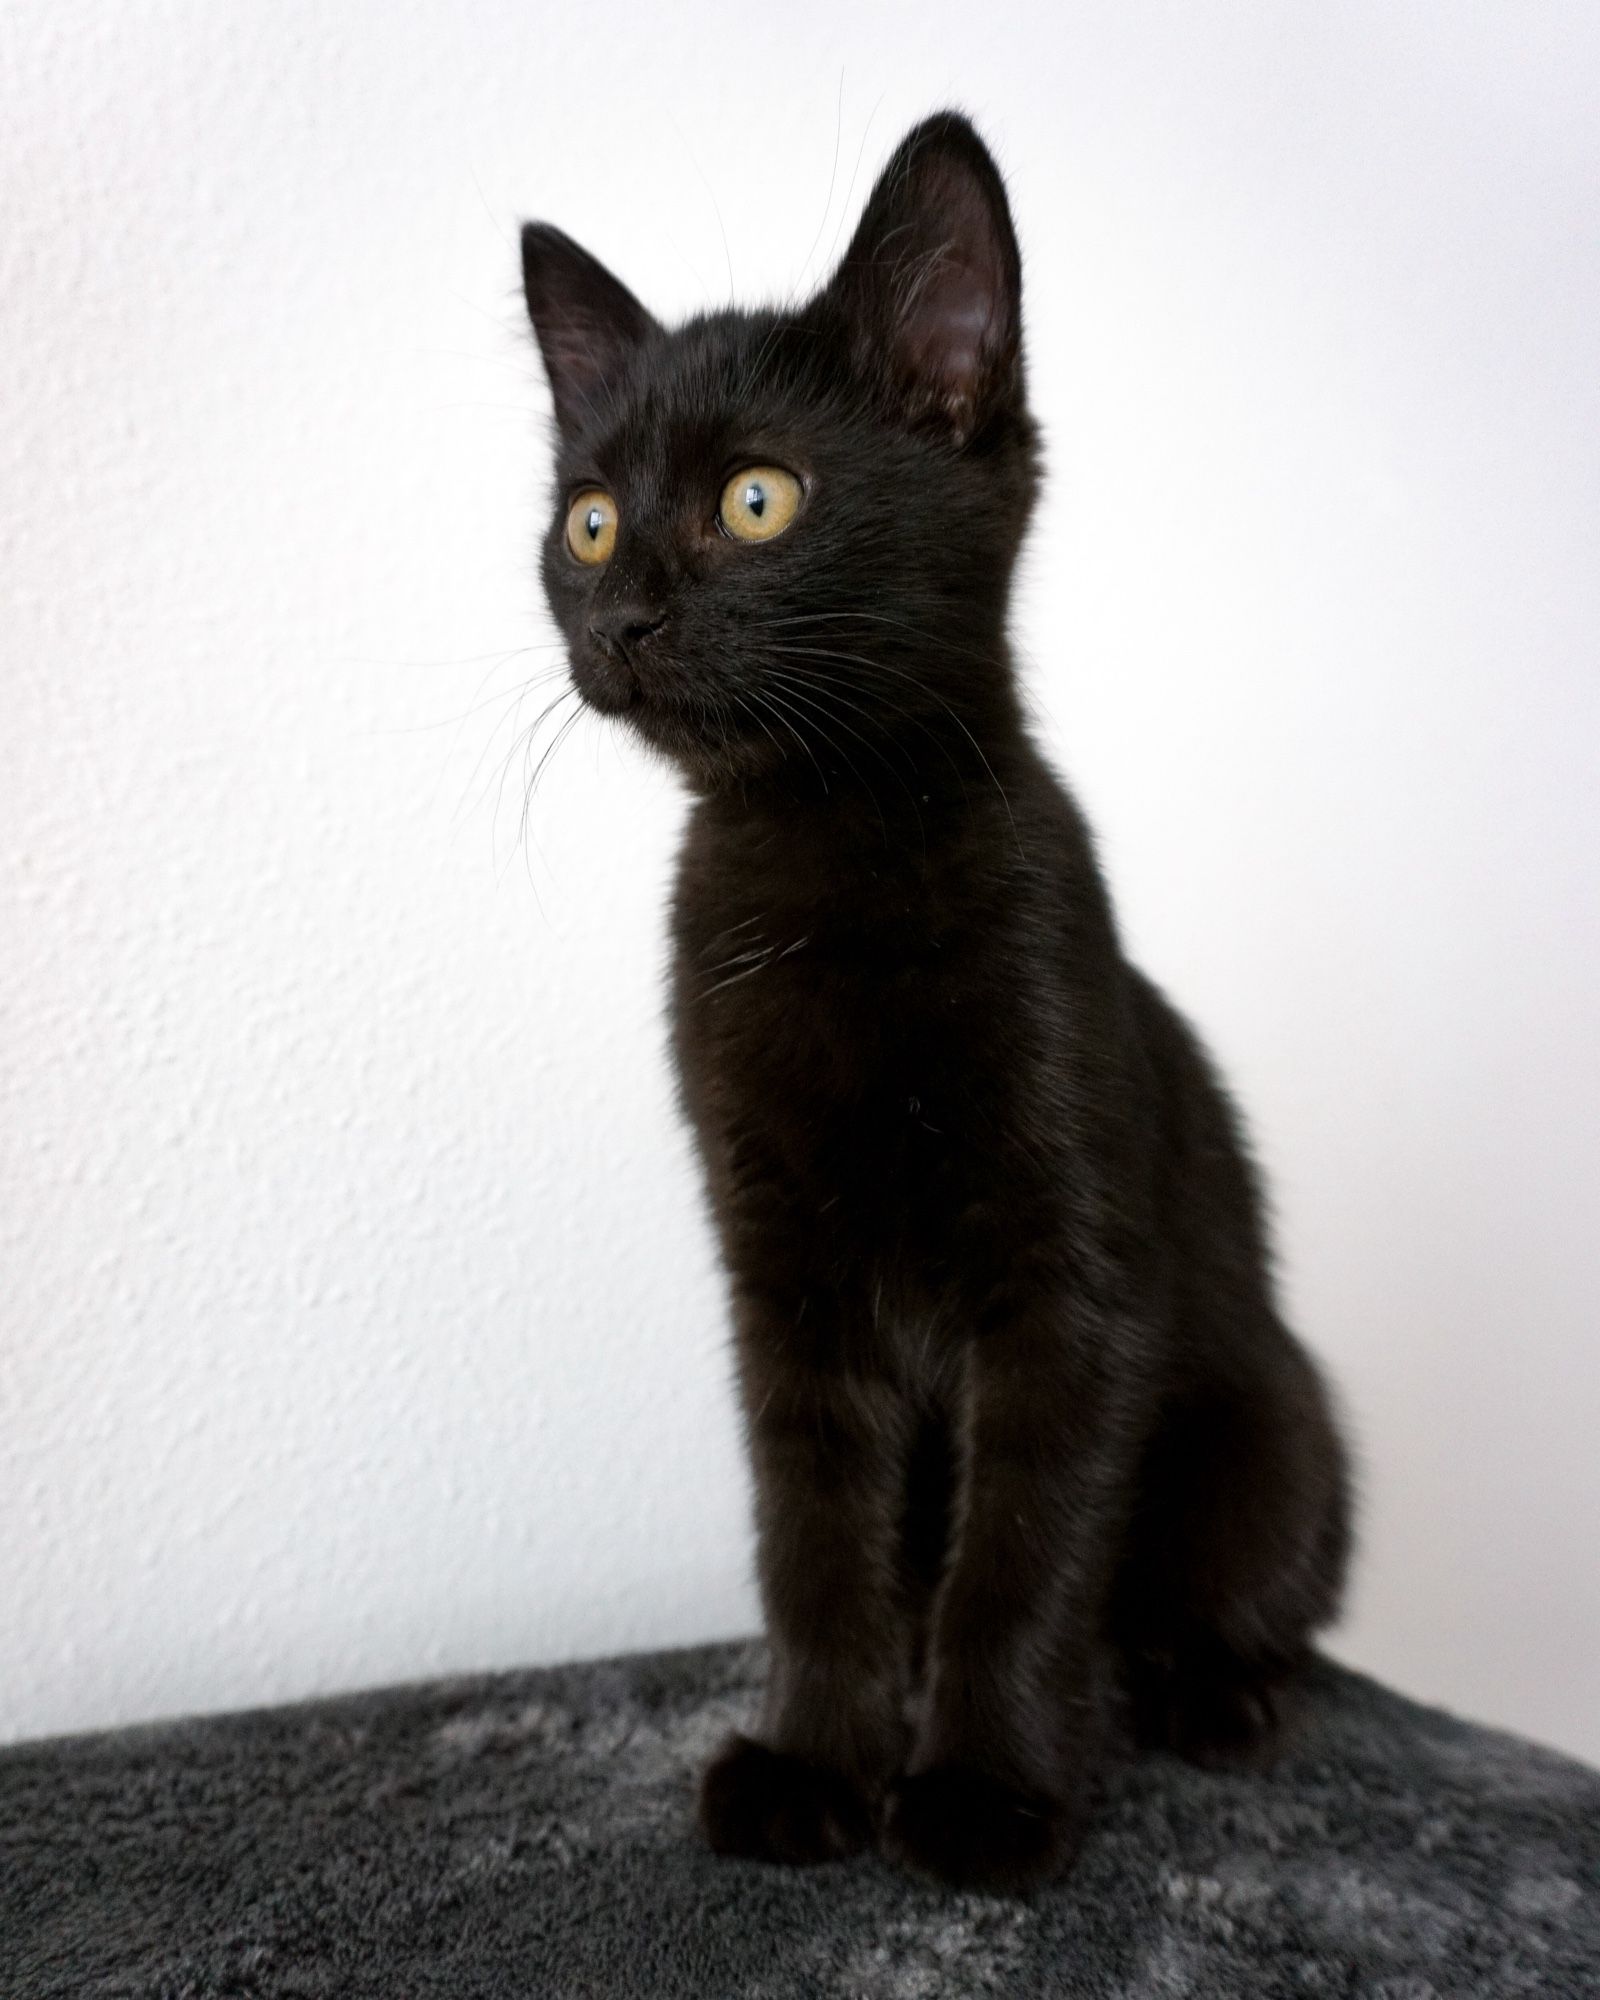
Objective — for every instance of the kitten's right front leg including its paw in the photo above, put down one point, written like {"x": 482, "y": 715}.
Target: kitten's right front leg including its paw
{"x": 997, "y": 1789}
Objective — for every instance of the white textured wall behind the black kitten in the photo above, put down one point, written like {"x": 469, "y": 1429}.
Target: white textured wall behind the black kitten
{"x": 359, "y": 1315}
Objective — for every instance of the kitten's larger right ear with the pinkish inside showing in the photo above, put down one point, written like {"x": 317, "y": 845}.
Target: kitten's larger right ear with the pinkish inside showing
{"x": 931, "y": 285}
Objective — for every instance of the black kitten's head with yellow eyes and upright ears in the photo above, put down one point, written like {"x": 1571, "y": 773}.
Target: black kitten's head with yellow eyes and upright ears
{"x": 785, "y": 541}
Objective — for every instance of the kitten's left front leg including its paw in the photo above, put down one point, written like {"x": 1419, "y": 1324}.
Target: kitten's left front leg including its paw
{"x": 829, "y": 1461}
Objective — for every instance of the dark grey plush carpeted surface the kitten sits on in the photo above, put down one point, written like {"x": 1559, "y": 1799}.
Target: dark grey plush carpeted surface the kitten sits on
{"x": 531, "y": 1835}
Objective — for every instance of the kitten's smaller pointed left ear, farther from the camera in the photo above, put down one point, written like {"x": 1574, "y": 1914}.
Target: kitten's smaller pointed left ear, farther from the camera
{"x": 585, "y": 319}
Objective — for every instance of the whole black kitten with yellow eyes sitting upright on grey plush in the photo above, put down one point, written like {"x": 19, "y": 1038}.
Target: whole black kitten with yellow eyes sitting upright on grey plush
{"x": 1029, "y": 1435}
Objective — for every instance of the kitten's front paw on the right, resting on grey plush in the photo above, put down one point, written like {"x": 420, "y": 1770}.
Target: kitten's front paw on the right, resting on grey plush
{"x": 977, "y": 1833}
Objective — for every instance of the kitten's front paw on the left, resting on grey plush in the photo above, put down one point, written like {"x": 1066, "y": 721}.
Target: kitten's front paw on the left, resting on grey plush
{"x": 779, "y": 1809}
